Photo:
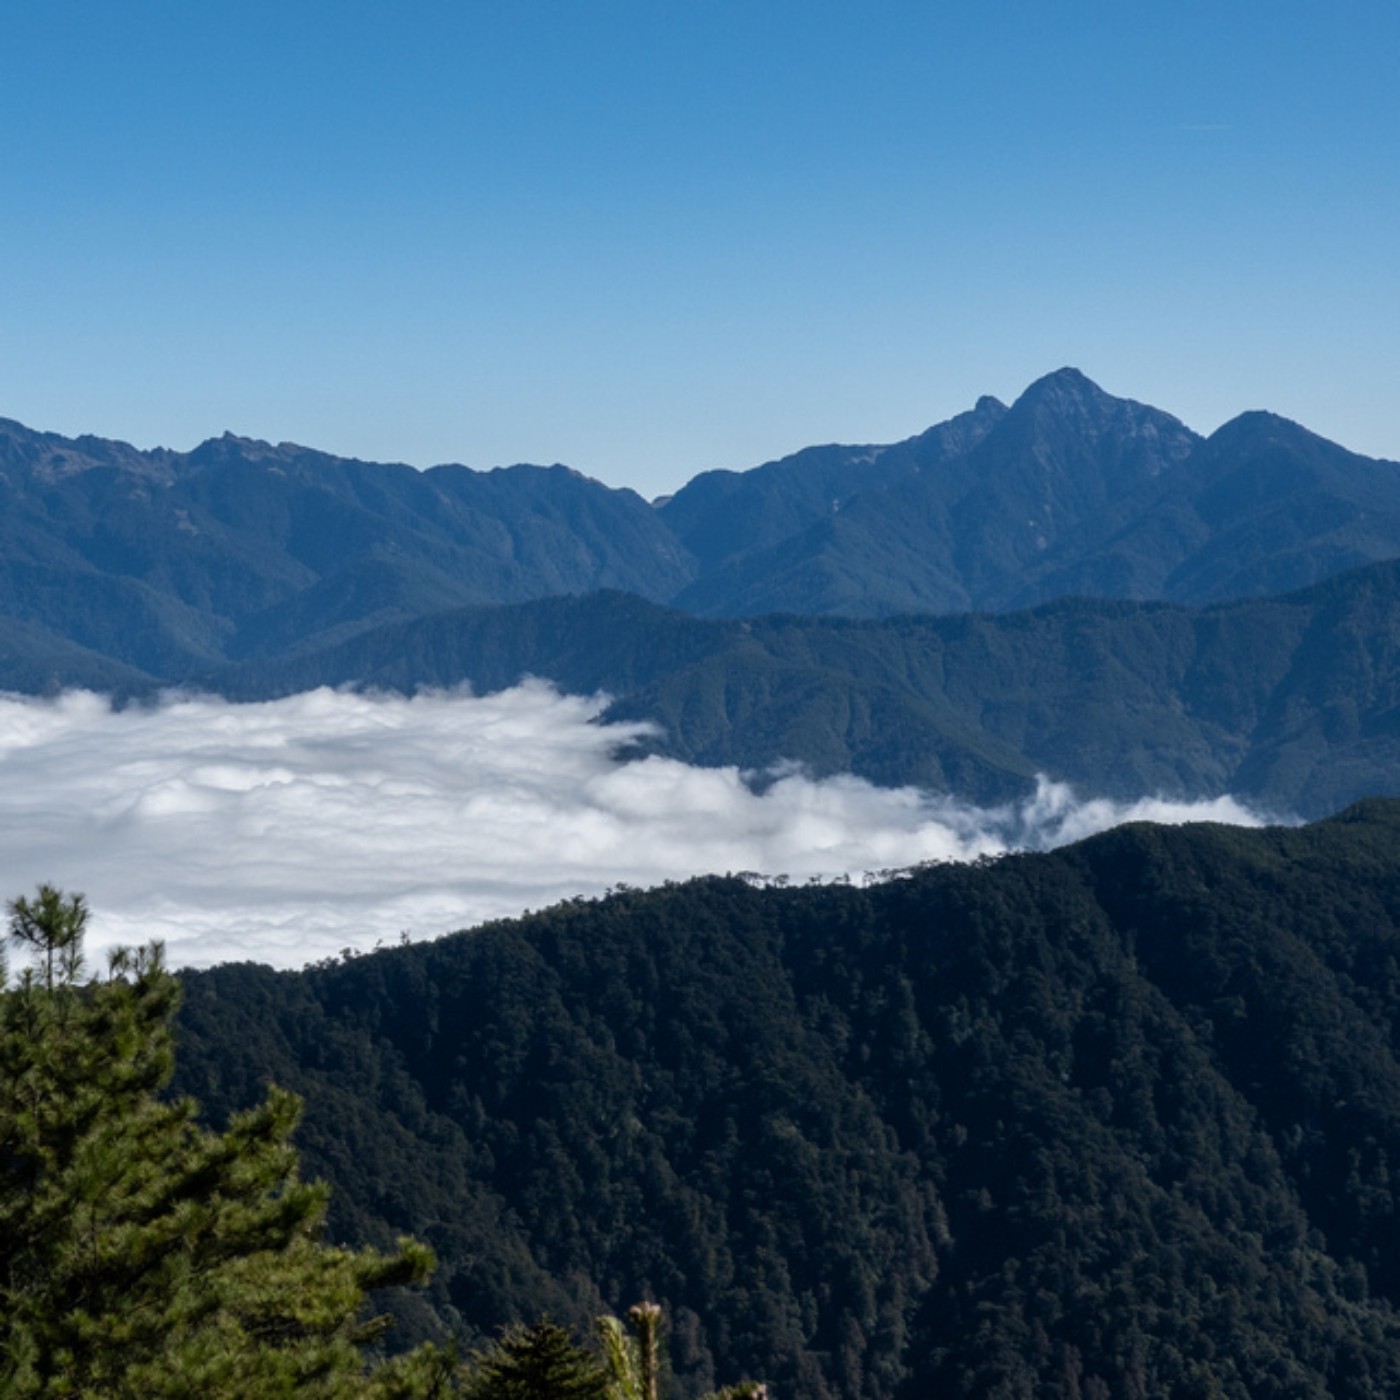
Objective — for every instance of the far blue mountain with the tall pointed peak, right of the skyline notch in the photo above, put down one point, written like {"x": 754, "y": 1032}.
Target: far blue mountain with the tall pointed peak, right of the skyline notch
{"x": 1067, "y": 492}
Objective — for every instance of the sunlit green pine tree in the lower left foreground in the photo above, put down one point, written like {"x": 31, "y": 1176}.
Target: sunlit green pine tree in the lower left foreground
{"x": 142, "y": 1255}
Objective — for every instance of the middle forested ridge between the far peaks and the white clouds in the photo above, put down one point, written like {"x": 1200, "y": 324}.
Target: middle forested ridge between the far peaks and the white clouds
{"x": 1291, "y": 702}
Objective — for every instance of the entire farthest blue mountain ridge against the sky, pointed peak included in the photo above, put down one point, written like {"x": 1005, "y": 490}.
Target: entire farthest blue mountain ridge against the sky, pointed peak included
{"x": 124, "y": 569}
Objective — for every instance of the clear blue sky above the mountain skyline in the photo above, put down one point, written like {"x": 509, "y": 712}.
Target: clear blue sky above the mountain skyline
{"x": 650, "y": 239}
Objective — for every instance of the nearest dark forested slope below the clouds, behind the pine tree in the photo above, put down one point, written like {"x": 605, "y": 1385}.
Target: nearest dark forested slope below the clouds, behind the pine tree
{"x": 1119, "y": 1121}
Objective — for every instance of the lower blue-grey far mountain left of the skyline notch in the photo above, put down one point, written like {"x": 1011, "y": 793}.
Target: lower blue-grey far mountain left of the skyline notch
{"x": 171, "y": 562}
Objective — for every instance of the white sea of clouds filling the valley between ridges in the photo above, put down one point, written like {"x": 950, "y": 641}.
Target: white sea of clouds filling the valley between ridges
{"x": 289, "y": 831}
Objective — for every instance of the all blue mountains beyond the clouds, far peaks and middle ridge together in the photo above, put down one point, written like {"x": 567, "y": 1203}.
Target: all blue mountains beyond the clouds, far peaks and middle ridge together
{"x": 1151, "y": 611}
